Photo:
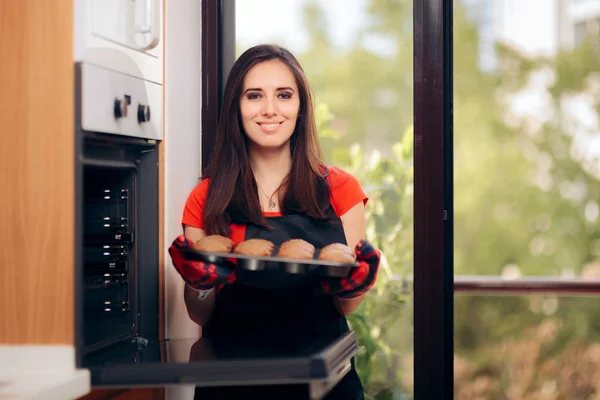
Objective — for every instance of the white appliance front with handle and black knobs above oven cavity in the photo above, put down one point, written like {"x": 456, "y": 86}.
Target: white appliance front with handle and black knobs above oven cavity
{"x": 119, "y": 58}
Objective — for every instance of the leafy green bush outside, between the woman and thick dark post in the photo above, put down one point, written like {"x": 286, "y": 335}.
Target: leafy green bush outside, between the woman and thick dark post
{"x": 383, "y": 322}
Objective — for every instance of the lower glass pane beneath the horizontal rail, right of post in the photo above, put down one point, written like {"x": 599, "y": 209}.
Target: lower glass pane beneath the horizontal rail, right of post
{"x": 527, "y": 347}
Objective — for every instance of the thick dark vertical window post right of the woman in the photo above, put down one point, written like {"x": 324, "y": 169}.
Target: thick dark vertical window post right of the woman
{"x": 433, "y": 267}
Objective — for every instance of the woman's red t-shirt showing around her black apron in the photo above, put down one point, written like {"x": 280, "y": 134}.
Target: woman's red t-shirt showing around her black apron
{"x": 345, "y": 190}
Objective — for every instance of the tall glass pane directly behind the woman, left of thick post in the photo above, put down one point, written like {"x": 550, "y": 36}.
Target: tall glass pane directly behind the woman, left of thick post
{"x": 358, "y": 58}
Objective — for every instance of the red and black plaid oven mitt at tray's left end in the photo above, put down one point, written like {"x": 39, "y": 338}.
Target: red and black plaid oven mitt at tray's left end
{"x": 199, "y": 275}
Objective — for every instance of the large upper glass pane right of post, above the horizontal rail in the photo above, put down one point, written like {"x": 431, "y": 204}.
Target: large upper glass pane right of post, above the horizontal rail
{"x": 527, "y": 138}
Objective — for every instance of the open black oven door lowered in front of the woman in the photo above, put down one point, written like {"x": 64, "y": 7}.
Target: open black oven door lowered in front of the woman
{"x": 221, "y": 362}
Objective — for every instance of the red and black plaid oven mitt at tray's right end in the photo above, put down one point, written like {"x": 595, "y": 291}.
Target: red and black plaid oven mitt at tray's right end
{"x": 361, "y": 278}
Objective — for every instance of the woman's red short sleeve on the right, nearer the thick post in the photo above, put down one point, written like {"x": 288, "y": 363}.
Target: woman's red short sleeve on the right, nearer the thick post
{"x": 346, "y": 191}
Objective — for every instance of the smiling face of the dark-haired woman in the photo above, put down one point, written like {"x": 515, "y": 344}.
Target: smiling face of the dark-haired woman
{"x": 269, "y": 104}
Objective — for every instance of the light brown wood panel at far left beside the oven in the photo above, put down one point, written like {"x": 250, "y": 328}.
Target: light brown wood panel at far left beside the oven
{"x": 37, "y": 169}
